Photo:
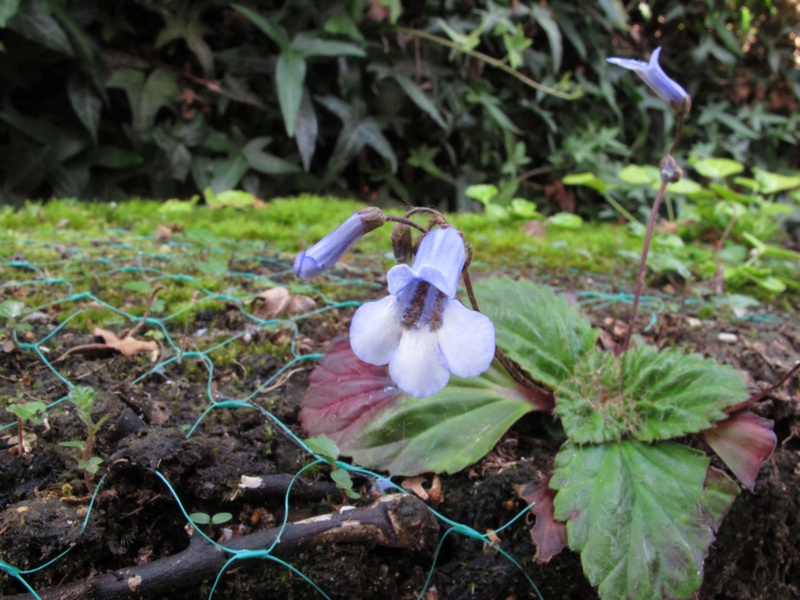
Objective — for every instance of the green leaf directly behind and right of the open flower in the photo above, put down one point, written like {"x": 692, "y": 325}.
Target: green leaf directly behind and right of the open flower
{"x": 536, "y": 328}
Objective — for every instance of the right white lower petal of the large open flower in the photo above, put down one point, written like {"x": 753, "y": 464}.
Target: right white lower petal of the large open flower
{"x": 466, "y": 340}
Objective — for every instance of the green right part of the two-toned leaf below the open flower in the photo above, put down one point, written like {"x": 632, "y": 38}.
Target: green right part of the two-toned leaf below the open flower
{"x": 445, "y": 432}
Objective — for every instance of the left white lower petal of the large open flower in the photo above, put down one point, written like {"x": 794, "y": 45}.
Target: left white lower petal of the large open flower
{"x": 376, "y": 330}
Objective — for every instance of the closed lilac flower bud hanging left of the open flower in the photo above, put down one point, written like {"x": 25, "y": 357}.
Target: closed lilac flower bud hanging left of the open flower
{"x": 324, "y": 254}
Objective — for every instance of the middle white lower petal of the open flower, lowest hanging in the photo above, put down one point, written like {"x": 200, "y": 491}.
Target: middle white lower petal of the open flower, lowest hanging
{"x": 418, "y": 367}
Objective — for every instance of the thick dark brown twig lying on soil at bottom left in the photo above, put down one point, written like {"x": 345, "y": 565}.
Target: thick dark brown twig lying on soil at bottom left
{"x": 397, "y": 521}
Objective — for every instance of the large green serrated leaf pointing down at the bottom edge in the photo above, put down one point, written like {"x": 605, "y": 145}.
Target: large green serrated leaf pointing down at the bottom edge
{"x": 640, "y": 515}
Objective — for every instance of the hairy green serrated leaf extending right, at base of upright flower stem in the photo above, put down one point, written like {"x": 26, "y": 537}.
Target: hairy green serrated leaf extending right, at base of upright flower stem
{"x": 647, "y": 394}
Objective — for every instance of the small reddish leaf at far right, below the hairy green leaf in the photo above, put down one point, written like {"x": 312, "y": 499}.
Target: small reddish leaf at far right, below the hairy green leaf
{"x": 743, "y": 441}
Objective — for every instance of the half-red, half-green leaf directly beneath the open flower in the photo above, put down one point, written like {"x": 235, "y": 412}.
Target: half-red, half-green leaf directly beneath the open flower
{"x": 358, "y": 406}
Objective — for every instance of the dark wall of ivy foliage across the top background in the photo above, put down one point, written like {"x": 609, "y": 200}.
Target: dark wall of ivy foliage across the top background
{"x": 410, "y": 100}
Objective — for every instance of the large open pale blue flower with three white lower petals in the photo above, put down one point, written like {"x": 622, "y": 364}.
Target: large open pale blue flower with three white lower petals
{"x": 420, "y": 329}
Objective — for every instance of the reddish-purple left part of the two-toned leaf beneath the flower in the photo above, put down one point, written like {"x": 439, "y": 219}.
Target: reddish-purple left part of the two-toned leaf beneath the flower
{"x": 345, "y": 394}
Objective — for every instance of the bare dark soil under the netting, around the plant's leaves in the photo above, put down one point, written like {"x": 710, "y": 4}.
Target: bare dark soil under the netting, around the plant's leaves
{"x": 136, "y": 519}
